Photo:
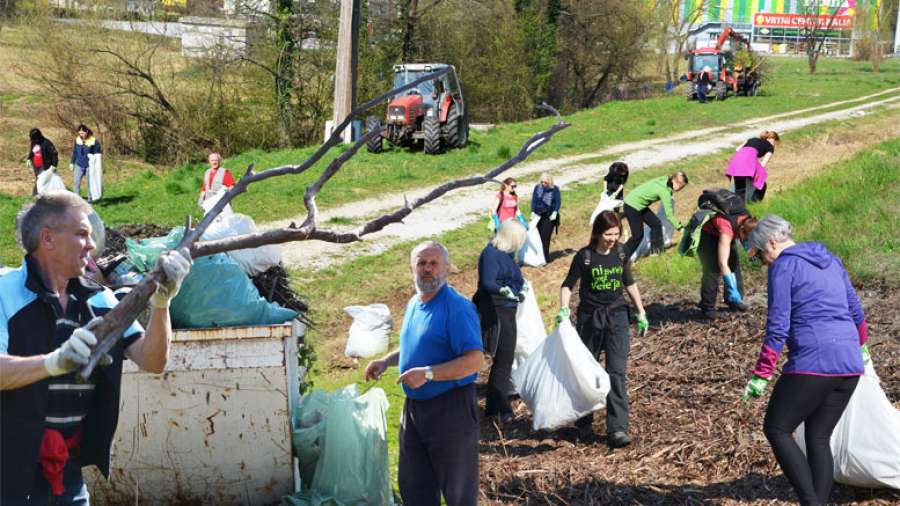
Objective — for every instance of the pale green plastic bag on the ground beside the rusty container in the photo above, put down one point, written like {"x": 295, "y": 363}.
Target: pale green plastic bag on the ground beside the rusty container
{"x": 345, "y": 434}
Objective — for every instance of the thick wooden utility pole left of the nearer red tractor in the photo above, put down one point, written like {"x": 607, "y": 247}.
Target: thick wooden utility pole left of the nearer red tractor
{"x": 345, "y": 71}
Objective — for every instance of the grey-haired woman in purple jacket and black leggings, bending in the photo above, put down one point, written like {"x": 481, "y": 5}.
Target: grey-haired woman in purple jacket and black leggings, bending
{"x": 813, "y": 309}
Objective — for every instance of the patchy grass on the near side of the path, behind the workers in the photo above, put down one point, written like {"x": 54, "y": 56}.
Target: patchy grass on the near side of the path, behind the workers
{"x": 824, "y": 208}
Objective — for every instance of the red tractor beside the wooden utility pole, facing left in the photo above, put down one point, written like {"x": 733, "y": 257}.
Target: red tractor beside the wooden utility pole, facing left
{"x": 434, "y": 113}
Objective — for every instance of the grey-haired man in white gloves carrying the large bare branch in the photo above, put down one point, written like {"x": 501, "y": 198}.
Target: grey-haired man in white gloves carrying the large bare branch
{"x": 51, "y": 425}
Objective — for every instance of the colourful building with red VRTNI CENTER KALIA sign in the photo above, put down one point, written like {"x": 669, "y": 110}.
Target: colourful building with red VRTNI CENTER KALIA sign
{"x": 774, "y": 25}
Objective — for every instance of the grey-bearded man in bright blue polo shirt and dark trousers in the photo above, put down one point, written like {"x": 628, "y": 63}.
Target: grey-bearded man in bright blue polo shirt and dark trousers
{"x": 439, "y": 357}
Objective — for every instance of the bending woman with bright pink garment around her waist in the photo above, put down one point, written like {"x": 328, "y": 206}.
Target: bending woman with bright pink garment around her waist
{"x": 747, "y": 168}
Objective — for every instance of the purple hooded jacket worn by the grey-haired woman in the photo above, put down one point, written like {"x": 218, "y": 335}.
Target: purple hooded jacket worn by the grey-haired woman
{"x": 814, "y": 310}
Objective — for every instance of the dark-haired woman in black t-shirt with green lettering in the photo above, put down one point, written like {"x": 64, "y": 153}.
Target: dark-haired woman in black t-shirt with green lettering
{"x": 602, "y": 316}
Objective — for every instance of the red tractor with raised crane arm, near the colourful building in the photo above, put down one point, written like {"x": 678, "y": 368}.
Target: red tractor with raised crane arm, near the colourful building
{"x": 725, "y": 76}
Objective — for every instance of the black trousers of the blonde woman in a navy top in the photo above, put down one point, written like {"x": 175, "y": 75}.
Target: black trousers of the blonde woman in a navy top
{"x": 499, "y": 384}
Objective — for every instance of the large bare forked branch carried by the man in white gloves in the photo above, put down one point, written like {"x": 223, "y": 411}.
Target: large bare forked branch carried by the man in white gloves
{"x": 120, "y": 317}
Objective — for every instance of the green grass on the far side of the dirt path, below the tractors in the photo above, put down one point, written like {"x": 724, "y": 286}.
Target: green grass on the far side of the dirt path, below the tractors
{"x": 165, "y": 195}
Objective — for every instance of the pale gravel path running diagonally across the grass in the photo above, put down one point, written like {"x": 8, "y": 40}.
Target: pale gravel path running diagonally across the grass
{"x": 466, "y": 206}
